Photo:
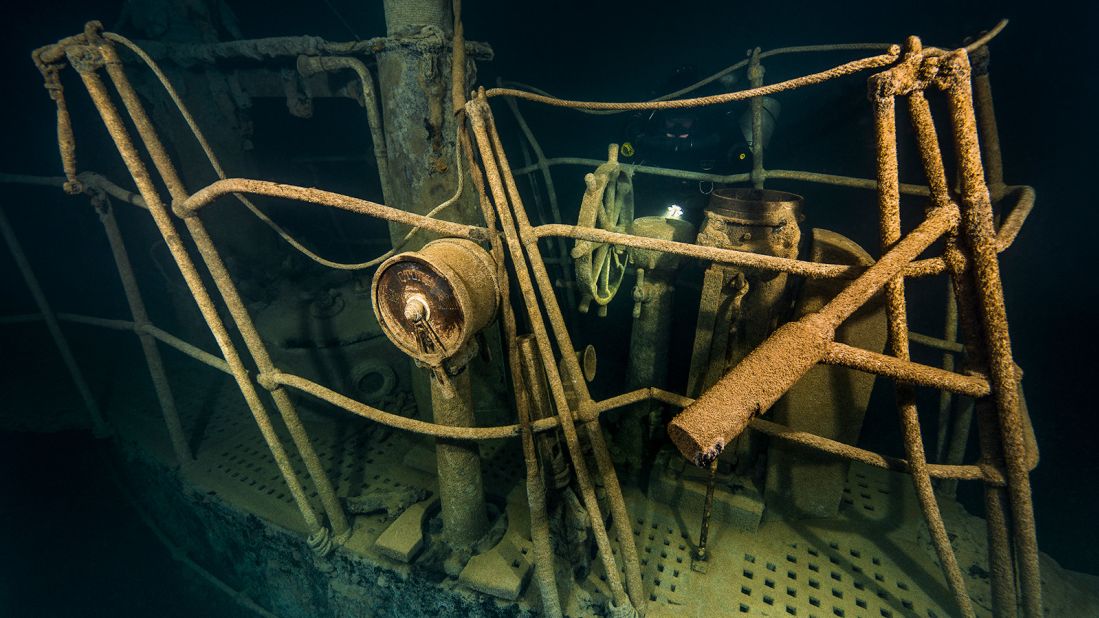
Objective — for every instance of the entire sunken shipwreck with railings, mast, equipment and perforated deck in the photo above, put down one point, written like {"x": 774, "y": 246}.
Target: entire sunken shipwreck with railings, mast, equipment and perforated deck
{"x": 438, "y": 431}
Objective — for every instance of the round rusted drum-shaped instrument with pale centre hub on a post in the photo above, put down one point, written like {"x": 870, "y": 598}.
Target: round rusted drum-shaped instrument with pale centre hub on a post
{"x": 431, "y": 303}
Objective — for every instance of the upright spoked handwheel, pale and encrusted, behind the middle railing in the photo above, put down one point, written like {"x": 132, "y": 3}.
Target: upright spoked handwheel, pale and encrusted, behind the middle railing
{"x": 607, "y": 205}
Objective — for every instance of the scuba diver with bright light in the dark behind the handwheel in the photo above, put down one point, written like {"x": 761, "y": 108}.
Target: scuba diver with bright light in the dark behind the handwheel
{"x": 712, "y": 140}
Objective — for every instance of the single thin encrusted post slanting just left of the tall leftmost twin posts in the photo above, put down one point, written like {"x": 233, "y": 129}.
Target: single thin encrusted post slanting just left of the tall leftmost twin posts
{"x": 161, "y": 384}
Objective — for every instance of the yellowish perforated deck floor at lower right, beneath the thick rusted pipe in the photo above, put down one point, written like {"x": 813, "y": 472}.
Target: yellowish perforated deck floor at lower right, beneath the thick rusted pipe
{"x": 865, "y": 565}
